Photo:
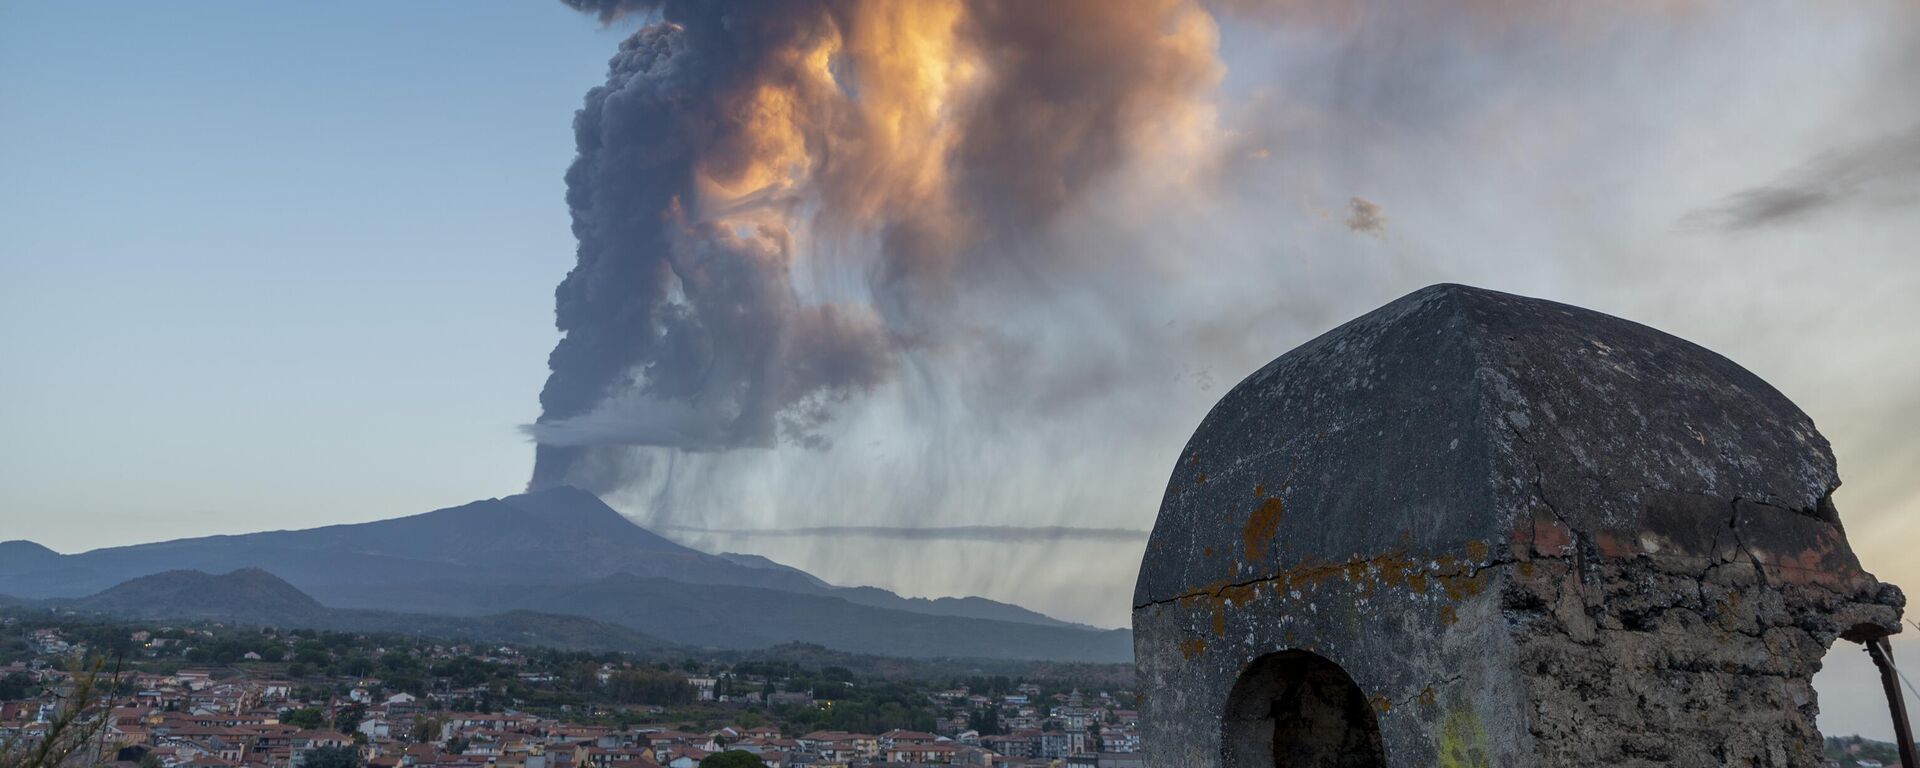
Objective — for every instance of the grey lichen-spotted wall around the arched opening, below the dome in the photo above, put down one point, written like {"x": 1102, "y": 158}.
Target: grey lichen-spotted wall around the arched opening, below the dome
{"x": 1424, "y": 640}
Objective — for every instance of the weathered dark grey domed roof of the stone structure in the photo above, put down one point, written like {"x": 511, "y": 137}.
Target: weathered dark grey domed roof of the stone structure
{"x": 1485, "y": 427}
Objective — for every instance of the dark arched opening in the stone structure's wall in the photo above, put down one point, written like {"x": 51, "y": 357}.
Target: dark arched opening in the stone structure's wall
{"x": 1295, "y": 709}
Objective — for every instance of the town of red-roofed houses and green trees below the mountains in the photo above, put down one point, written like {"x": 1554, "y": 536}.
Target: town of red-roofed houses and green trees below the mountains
{"x": 212, "y": 696}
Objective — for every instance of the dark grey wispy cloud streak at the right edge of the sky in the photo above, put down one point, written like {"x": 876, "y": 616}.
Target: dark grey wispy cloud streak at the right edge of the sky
{"x": 1883, "y": 174}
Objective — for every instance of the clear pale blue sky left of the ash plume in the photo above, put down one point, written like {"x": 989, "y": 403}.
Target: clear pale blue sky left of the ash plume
{"x": 277, "y": 262}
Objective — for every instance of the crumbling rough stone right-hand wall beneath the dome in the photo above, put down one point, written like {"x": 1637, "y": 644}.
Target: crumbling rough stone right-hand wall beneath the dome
{"x": 1652, "y": 663}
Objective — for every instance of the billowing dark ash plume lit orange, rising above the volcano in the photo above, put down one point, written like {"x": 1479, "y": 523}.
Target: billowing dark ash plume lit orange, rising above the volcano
{"x": 779, "y": 204}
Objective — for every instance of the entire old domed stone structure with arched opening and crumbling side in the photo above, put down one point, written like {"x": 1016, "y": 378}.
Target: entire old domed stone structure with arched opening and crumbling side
{"x": 1476, "y": 529}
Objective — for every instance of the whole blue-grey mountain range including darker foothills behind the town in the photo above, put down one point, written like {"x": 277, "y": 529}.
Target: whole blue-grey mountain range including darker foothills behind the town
{"x": 562, "y": 552}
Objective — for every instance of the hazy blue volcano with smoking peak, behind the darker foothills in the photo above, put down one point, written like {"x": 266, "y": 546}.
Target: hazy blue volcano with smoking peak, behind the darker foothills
{"x": 552, "y": 537}
